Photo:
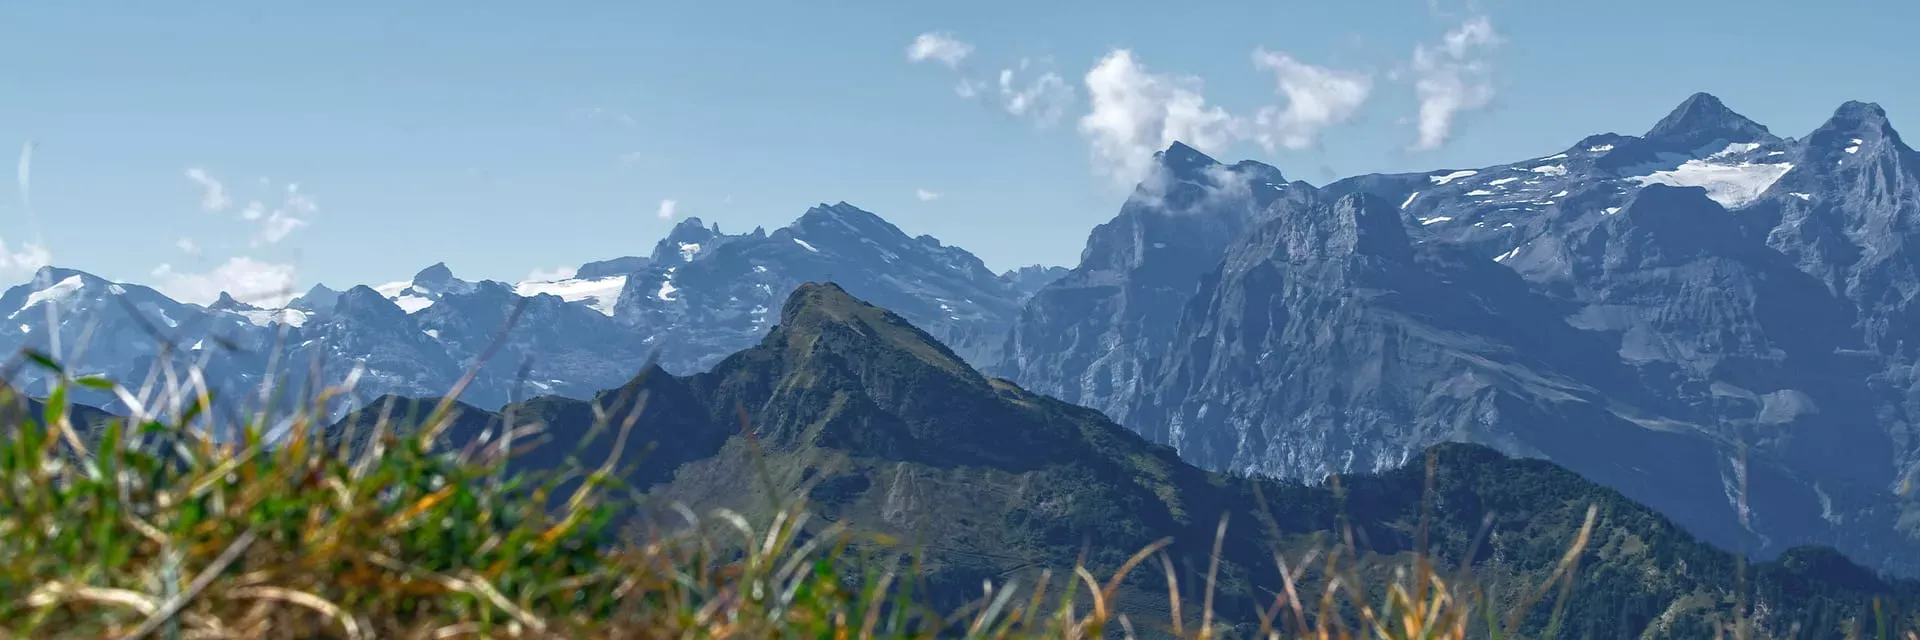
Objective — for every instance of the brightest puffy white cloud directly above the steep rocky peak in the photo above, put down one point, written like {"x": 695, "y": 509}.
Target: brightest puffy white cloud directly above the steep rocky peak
{"x": 1138, "y": 112}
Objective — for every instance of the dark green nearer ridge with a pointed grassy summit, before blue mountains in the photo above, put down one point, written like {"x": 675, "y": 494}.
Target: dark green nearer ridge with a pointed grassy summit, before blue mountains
{"x": 886, "y": 430}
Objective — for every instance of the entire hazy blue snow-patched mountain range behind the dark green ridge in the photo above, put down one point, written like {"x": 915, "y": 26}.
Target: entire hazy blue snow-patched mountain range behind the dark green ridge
{"x": 1710, "y": 318}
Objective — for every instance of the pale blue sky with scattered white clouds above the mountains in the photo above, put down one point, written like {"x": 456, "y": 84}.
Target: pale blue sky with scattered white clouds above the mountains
{"x": 266, "y": 147}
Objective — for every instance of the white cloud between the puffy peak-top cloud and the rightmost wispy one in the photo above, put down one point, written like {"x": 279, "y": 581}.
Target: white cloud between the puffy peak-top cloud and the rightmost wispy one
{"x": 1316, "y": 99}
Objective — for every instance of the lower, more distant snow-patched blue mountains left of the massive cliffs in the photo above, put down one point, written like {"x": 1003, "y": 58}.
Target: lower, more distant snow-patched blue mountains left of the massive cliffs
{"x": 696, "y": 299}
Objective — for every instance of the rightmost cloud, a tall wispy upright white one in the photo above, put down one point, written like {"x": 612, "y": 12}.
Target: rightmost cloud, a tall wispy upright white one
{"x": 1452, "y": 78}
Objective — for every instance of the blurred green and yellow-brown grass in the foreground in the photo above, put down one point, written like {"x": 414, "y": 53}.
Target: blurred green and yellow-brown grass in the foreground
{"x": 147, "y": 528}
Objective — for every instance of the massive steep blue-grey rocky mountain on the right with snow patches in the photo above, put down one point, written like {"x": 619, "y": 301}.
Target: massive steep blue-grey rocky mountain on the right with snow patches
{"x": 1710, "y": 318}
